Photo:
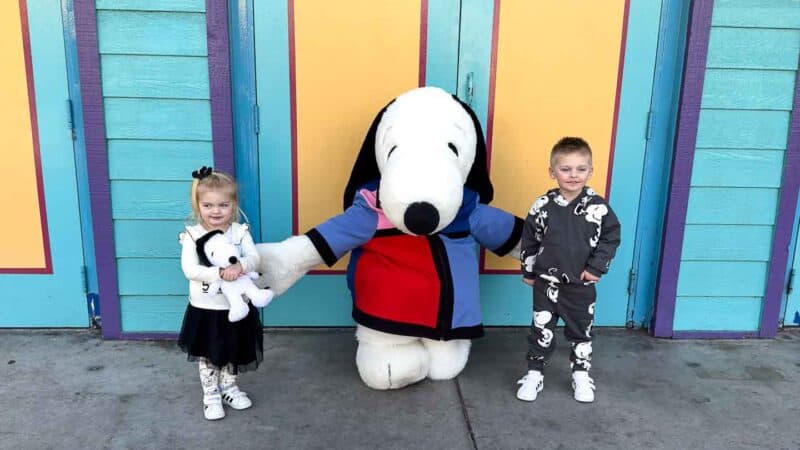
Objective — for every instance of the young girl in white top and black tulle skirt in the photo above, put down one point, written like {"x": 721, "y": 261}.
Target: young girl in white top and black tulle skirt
{"x": 222, "y": 348}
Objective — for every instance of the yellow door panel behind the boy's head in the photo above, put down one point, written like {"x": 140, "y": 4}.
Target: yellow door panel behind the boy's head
{"x": 556, "y": 76}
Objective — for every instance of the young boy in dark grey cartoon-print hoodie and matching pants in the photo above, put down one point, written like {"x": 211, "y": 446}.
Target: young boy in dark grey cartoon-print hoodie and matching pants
{"x": 569, "y": 239}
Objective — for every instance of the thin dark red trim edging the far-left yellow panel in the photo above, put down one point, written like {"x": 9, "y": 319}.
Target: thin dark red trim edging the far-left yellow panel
{"x": 26, "y": 45}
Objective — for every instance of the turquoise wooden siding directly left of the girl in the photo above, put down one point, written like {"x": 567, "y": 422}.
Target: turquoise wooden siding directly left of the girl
{"x": 154, "y": 67}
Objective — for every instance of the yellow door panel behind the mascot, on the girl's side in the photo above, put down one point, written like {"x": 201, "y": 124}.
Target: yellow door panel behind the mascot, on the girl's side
{"x": 352, "y": 57}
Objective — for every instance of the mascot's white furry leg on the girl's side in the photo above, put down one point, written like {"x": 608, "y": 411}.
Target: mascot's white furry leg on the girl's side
{"x": 388, "y": 361}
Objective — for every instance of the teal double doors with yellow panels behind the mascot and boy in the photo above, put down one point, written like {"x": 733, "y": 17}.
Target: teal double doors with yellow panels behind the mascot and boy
{"x": 321, "y": 77}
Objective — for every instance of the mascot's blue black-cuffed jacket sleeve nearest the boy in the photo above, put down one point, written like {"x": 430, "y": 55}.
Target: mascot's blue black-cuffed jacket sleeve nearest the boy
{"x": 495, "y": 229}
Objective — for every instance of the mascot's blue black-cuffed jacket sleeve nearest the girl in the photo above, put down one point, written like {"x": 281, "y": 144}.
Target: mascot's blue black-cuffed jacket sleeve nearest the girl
{"x": 340, "y": 234}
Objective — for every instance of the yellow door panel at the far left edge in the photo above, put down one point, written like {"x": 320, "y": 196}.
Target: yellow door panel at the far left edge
{"x": 21, "y": 245}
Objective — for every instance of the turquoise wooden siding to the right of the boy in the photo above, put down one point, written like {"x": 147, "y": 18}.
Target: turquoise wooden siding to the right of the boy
{"x": 741, "y": 140}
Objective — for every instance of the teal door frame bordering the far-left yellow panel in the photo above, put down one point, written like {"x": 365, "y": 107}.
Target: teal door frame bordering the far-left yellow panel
{"x": 54, "y": 297}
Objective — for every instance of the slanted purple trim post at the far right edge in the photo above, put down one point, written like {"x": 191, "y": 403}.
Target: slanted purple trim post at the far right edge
{"x": 770, "y": 315}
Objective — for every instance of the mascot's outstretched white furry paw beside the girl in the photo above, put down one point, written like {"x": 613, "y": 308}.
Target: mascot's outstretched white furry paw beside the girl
{"x": 283, "y": 263}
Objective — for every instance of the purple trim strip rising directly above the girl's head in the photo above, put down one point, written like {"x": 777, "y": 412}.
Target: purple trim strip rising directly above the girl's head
{"x": 219, "y": 79}
